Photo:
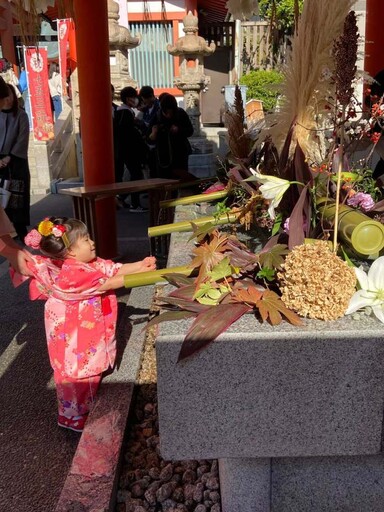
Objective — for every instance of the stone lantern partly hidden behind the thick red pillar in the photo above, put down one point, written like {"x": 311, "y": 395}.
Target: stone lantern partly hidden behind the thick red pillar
{"x": 120, "y": 41}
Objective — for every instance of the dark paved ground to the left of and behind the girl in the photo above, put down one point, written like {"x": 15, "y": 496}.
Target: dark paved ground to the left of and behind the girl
{"x": 35, "y": 453}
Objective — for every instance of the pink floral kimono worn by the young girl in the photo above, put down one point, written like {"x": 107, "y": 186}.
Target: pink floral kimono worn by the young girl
{"x": 80, "y": 324}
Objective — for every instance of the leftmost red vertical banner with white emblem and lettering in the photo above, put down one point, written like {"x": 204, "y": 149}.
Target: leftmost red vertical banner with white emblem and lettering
{"x": 36, "y": 64}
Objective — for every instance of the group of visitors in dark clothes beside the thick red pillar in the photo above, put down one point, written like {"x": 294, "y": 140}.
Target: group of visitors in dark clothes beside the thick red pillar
{"x": 150, "y": 134}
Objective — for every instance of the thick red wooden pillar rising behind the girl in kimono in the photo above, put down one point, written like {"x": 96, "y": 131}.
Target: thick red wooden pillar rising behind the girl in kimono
{"x": 92, "y": 44}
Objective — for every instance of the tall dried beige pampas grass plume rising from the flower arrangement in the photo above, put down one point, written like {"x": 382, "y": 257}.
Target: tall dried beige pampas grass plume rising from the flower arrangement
{"x": 308, "y": 72}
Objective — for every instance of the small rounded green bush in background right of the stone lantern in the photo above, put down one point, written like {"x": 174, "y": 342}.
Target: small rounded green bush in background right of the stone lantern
{"x": 263, "y": 85}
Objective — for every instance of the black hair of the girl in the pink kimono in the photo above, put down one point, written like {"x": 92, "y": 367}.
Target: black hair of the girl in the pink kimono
{"x": 53, "y": 246}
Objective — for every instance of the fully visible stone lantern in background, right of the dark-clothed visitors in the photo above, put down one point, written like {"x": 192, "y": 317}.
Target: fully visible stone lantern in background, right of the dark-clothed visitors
{"x": 192, "y": 48}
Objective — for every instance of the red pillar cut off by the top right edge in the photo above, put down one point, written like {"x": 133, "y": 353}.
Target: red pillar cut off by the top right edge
{"x": 374, "y": 37}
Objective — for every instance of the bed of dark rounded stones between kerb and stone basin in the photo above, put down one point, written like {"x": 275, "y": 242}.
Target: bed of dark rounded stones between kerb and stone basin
{"x": 149, "y": 483}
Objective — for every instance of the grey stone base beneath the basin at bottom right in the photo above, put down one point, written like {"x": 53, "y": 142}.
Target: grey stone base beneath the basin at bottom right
{"x": 312, "y": 484}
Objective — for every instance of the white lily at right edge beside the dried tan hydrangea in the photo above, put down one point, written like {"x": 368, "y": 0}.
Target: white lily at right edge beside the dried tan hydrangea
{"x": 372, "y": 290}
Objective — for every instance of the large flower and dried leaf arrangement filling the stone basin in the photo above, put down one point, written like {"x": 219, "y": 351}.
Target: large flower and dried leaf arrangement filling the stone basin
{"x": 298, "y": 179}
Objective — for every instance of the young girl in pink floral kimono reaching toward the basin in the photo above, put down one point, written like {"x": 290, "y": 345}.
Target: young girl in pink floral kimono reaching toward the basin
{"x": 80, "y": 312}
